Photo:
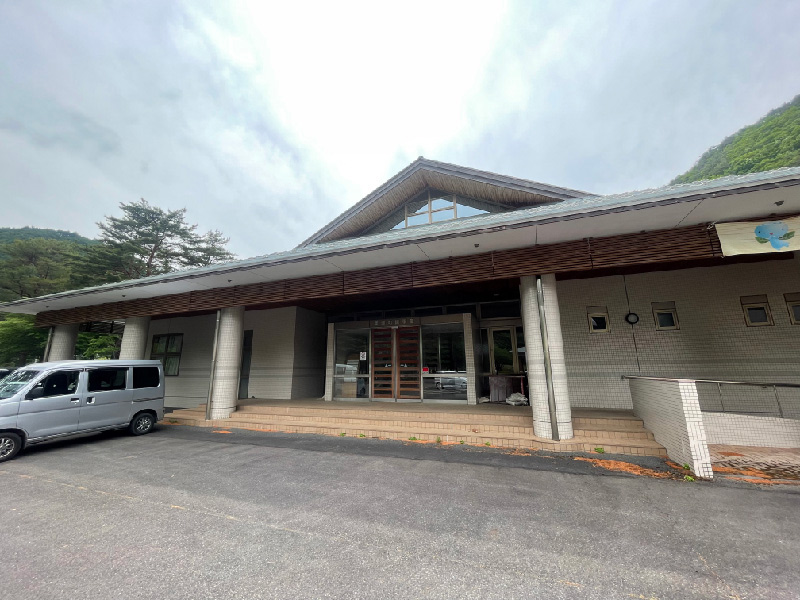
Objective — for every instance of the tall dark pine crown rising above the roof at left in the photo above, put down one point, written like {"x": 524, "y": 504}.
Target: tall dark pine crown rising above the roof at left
{"x": 147, "y": 240}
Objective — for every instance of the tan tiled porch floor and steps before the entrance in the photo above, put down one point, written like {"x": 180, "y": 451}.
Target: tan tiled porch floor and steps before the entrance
{"x": 615, "y": 431}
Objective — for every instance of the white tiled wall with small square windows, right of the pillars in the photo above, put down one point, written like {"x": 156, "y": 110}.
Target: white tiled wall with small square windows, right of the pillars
{"x": 713, "y": 341}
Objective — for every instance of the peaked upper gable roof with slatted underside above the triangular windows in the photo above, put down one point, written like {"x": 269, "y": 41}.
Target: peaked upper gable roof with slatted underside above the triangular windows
{"x": 501, "y": 190}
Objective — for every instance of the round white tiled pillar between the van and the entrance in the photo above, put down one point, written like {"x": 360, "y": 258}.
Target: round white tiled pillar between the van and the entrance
{"x": 227, "y": 362}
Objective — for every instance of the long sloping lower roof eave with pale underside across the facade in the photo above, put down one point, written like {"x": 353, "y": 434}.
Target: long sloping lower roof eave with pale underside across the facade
{"x": 572, "y": 218}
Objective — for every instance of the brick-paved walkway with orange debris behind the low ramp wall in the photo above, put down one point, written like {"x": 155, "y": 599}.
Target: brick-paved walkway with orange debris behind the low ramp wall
{"x": 756, "y": 464}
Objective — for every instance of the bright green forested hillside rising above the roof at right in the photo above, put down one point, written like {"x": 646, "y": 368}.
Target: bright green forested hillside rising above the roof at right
{"x": 771, "y": 143}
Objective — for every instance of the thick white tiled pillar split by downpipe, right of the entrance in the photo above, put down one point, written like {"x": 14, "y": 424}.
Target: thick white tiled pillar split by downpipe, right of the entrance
{"x": 535, "y": 357}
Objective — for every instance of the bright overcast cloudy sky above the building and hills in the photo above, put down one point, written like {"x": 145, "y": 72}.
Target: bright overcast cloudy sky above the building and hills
{"x": 266, "y": 120}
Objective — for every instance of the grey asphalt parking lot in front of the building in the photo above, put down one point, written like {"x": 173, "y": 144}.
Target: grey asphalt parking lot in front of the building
{"x": 194, "y": 513}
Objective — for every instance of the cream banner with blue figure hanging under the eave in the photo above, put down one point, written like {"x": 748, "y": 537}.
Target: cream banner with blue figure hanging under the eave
{"x": 759, "y": 237}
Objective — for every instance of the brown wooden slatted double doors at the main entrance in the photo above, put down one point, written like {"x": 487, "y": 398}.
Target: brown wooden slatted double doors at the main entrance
{"x": 396, "y": 364}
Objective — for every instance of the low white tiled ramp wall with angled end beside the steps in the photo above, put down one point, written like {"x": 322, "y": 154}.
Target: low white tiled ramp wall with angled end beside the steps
{"x": 670, "y": 410}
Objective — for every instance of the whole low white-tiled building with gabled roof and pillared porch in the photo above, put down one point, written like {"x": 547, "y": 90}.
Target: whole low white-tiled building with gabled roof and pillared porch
{"x": 449, "y": 284}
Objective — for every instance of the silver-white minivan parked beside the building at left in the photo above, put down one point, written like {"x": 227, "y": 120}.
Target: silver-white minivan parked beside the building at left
{"x": 51, "y": 400}
